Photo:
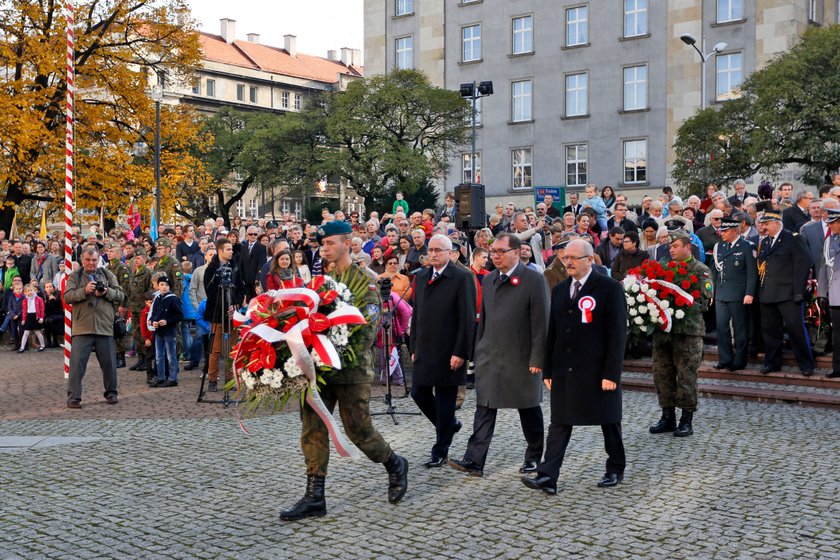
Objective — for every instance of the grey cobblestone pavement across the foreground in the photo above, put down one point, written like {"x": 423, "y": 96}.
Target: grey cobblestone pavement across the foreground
{"x": 755, "y": 481}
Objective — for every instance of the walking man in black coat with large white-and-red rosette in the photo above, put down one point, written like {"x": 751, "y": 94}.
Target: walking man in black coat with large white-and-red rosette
{"x": 587, "y": 311}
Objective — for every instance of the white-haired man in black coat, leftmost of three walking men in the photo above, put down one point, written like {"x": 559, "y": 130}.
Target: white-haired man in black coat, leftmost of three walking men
{"x": 442, "y": 330}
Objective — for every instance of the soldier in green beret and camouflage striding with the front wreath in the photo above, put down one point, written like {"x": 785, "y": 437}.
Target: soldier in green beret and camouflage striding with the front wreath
{"x": 350, "y": 388}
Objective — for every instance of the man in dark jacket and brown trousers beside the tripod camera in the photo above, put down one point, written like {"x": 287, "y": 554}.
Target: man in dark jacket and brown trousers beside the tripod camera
{"x": 222, "y": 280}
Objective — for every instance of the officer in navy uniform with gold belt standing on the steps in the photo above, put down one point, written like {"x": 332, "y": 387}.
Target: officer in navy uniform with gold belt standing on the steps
{"x": 783, "y": 269}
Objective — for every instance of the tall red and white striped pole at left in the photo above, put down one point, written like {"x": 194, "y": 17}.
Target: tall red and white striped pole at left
{"x": 68, "y": 179}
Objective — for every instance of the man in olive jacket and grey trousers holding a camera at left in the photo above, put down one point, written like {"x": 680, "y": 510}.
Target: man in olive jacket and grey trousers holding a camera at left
{"x": 94, "y": 294}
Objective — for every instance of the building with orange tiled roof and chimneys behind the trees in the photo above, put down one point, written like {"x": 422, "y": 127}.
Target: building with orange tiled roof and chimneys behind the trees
{"x": 247, "y": 75}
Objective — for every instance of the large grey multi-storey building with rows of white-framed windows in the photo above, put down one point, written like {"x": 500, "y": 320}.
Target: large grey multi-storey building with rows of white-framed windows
{"x": 584, "y": 91}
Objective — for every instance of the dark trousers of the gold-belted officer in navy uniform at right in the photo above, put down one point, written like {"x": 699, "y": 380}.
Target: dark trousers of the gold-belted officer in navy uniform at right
{"x": 774, "y": 318}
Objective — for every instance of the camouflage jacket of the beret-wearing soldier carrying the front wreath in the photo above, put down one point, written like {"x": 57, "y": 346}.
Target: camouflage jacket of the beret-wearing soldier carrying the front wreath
{"x": 362, "y": 371}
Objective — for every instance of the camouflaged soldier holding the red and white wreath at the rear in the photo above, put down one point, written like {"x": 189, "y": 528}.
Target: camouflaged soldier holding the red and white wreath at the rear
{"x": 677, "y": 354}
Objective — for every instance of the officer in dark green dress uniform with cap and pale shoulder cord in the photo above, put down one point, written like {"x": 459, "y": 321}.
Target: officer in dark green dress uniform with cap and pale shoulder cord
{"x": 734, "y": 261}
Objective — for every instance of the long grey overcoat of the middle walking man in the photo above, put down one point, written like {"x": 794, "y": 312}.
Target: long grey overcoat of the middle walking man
{"x": 511, "y": 339}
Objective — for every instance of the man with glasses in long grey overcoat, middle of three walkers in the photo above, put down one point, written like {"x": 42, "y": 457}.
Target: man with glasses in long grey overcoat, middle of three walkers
{"x": 514, "y": 311}
